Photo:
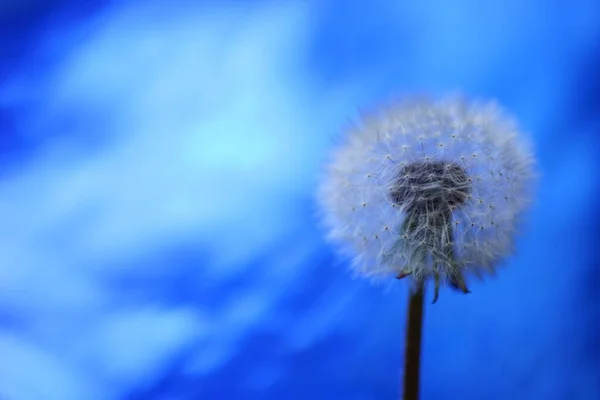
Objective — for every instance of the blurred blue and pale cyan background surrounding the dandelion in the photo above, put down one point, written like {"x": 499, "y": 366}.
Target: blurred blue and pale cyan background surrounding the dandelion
{"x": 157, "y": 167}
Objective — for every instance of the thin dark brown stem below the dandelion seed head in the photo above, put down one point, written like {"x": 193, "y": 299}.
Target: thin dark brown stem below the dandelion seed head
{"x": 412, "y": 356}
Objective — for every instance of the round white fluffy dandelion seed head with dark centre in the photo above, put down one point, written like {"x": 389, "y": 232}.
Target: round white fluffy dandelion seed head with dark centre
{"x": 428, "y": 189}
